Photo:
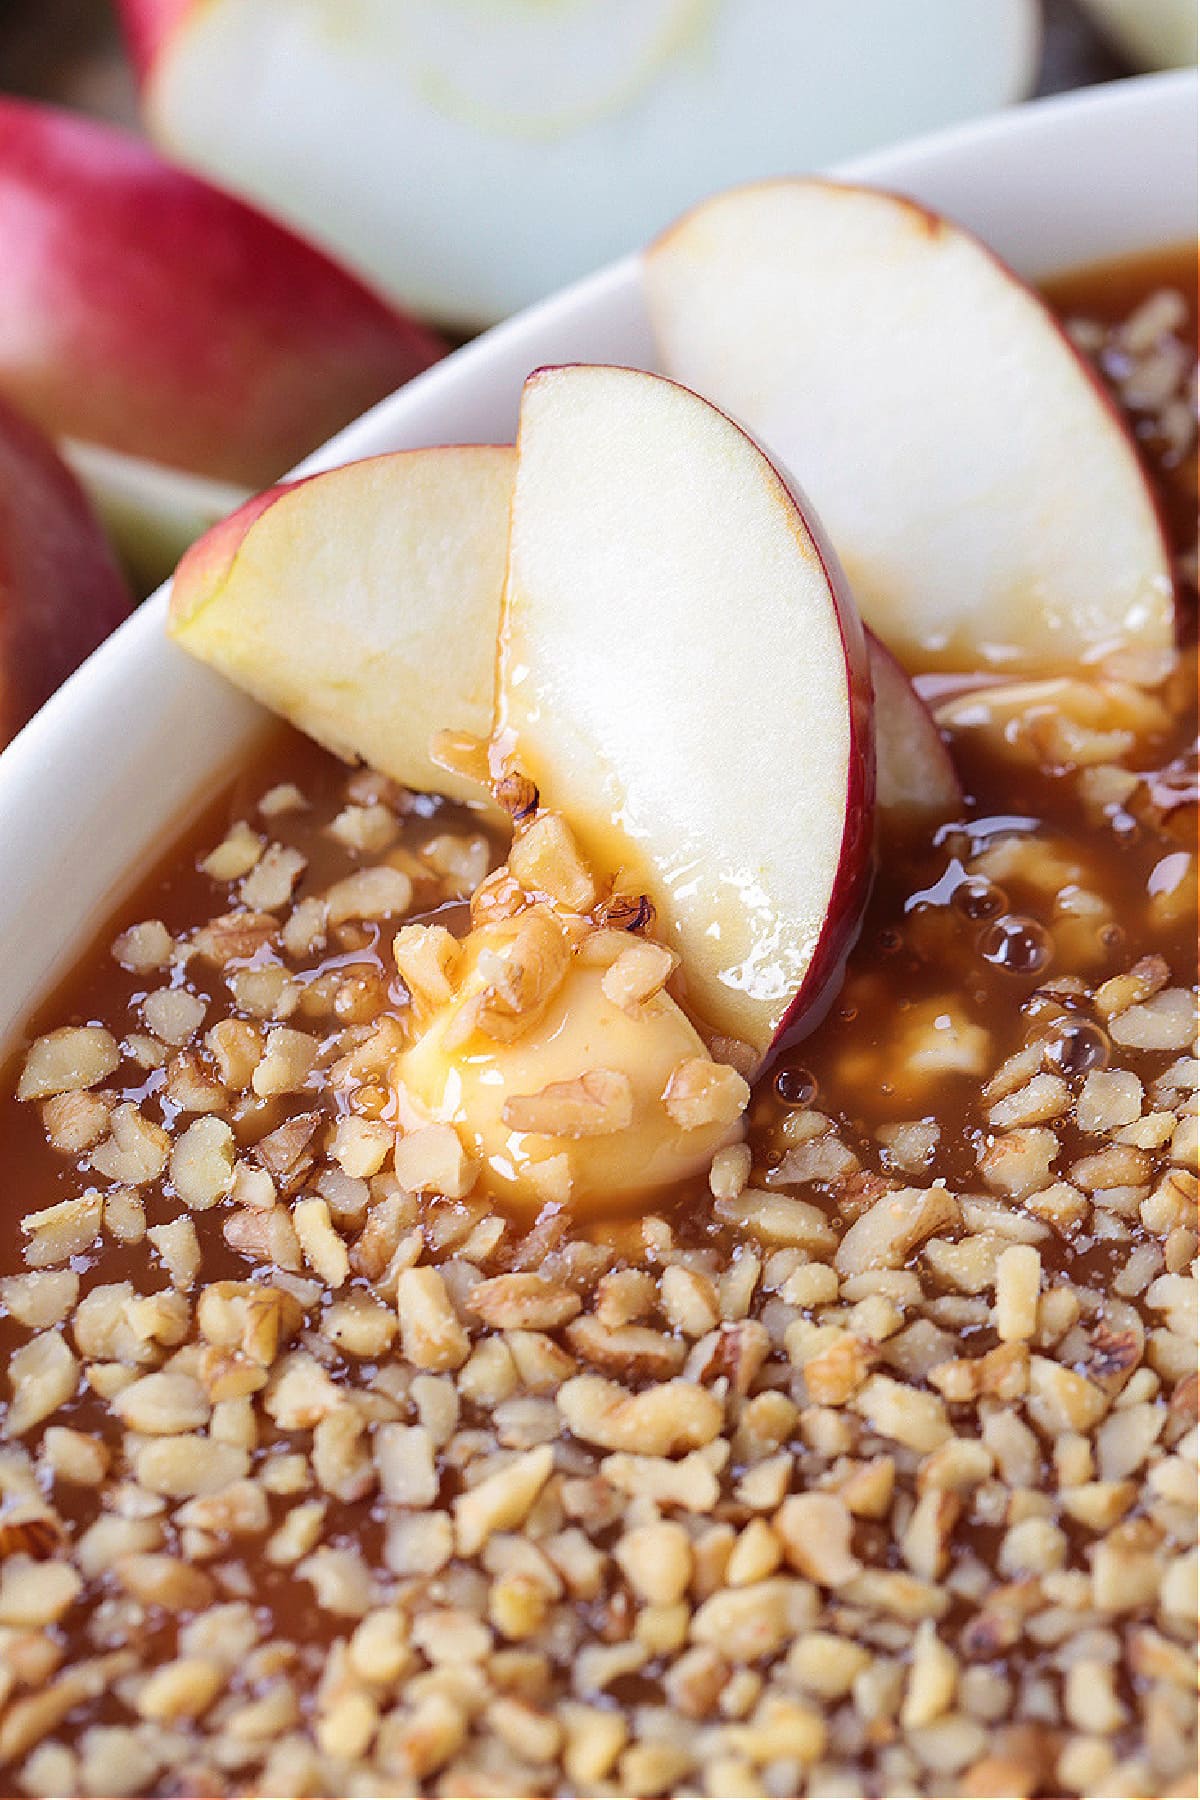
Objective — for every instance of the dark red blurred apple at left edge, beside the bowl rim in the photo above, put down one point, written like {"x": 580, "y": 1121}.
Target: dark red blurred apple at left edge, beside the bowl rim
{"x": 60, "y": 588}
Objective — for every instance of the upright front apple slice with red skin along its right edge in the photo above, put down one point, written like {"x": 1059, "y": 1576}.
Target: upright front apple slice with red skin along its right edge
{"x": 685, "y": 676}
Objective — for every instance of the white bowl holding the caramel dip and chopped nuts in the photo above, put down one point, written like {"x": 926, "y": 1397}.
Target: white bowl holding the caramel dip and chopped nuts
{"x": 118, "y": 760}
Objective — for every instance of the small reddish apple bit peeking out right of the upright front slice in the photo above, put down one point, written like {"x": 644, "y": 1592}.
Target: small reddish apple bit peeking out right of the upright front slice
{"x": 915, "y": 771}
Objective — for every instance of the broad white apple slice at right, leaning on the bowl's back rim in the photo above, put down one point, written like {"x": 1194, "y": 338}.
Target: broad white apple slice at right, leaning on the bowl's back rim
{"x": 985, "y": 498}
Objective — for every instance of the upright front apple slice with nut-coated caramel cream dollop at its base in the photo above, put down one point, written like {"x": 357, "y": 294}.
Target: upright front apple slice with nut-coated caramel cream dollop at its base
{"x": 685, "y": 730}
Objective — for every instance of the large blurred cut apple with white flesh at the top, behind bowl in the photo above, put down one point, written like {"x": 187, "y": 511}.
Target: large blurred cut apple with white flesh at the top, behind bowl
{"x": 472, "y": 156}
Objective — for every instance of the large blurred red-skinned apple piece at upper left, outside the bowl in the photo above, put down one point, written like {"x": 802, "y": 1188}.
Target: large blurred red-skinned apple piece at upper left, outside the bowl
{"x": 145, "y": 310}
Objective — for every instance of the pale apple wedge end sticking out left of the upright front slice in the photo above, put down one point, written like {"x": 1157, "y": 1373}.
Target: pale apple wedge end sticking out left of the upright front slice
{"x": 363, "y": 604}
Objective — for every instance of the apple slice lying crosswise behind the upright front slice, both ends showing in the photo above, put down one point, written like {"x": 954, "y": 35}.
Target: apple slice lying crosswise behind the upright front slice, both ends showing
{"x": 242, "y": 611}
